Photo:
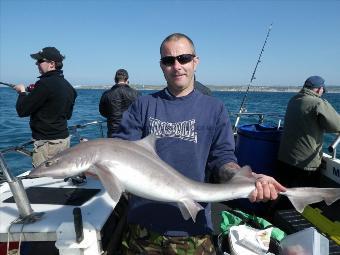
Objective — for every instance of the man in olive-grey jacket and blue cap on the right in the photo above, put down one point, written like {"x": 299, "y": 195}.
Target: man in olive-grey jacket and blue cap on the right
{"x": 307, "y": 118}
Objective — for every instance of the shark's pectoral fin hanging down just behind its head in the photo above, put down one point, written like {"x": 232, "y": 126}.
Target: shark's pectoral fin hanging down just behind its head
{"x": 110, "y": 182}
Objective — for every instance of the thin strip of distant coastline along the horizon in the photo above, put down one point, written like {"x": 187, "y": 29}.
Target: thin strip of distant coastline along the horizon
{"x": 330, "y": 89}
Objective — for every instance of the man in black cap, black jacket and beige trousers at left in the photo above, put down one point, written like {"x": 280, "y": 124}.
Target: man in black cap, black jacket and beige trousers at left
{"x": 49, "y": 105}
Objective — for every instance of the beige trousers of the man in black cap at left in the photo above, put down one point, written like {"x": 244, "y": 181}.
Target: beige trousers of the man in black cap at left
{"x": 46, "y": 149}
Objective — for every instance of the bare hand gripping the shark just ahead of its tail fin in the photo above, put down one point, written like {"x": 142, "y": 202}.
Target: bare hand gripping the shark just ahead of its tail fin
{"x": 266, "y": 188}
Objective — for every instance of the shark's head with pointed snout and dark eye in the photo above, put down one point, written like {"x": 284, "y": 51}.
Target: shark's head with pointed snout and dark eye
{"x": 65, "y": 164}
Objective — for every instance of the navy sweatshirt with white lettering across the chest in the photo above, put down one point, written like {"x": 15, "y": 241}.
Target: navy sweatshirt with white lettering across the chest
{"x": 196, "y": 131}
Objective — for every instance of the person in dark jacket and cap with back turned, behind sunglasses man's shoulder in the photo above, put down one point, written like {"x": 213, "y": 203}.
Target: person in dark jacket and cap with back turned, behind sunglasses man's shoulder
{"x": 116, "y": 100}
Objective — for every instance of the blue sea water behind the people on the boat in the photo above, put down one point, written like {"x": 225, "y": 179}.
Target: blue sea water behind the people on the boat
{"x": 15, "y": 130}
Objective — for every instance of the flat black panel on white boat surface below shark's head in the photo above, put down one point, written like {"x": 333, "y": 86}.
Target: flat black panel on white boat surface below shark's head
{"x": 58, "y": 196}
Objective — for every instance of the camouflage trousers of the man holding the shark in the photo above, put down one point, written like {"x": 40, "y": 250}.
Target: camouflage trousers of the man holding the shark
{"x": 139, "y": 240}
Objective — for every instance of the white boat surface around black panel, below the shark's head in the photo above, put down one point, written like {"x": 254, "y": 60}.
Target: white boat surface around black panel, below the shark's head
{"x": 95, "y": 212}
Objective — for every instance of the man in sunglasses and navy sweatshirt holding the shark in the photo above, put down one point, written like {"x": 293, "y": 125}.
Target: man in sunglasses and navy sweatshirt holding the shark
{"x": 195, "y": 131}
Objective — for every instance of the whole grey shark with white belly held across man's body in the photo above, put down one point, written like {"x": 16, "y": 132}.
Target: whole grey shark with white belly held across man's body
{"x": 135, "y": 167}
